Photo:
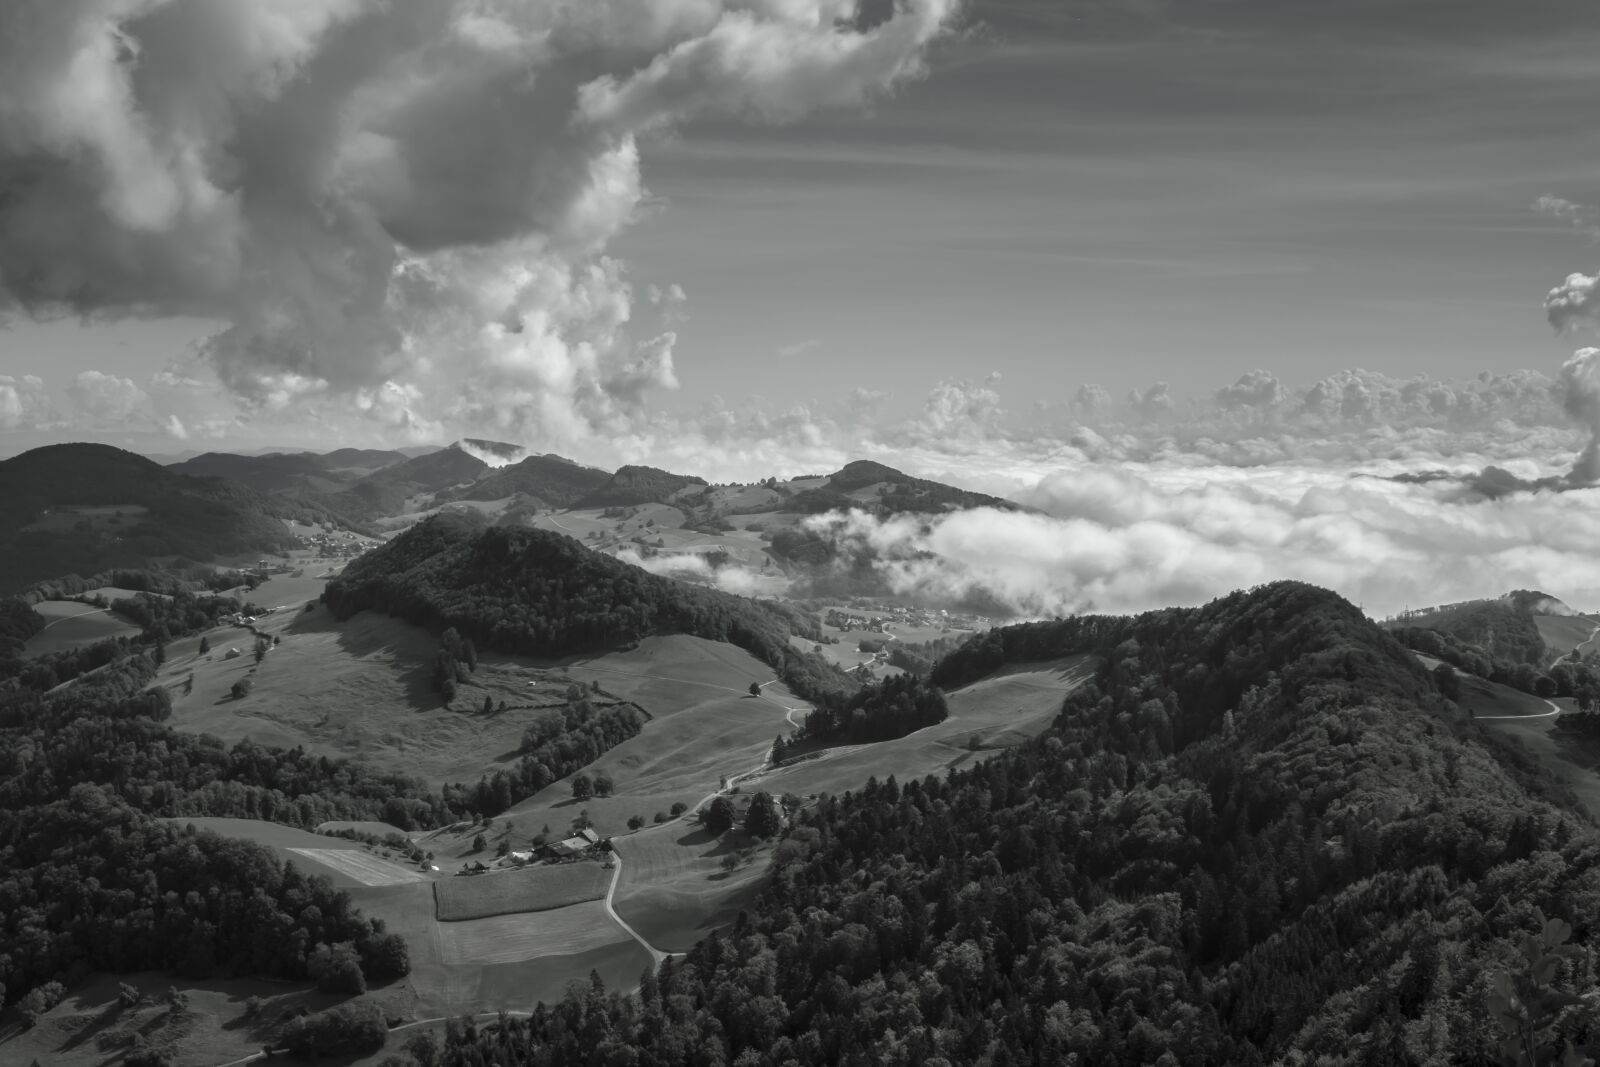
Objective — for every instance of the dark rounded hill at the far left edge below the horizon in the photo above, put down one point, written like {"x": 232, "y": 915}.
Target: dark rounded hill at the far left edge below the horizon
{"x": 90, "y": 508}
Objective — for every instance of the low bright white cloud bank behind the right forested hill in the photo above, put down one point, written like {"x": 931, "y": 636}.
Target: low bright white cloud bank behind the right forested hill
{"x": 1130, "y": 540}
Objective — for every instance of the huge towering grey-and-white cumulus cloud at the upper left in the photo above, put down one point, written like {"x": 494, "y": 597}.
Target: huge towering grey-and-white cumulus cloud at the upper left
{"x": 399, "y": 207}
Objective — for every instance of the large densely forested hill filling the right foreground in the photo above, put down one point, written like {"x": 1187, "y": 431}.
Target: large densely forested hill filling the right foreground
{"x": 1257, "y": 837}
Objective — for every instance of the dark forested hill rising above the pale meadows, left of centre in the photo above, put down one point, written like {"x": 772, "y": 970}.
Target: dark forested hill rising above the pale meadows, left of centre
{"x": 545, "y": 594}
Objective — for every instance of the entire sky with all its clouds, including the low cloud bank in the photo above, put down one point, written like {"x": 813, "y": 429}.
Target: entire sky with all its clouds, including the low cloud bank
{"x": 1225, "y": 289}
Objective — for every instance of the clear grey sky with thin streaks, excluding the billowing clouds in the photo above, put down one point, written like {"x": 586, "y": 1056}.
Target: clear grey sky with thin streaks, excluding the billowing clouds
{"x": 1078, "y": 193}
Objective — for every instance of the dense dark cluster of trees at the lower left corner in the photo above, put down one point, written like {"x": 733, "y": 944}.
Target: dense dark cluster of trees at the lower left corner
{"x": 89, "y": 882}
